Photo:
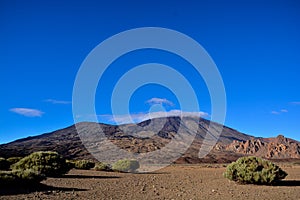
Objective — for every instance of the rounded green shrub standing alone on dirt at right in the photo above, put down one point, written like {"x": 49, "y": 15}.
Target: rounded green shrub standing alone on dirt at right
{"x": 254, "y": 170}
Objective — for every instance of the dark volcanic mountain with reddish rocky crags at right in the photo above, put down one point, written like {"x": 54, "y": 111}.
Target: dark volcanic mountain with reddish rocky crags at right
{"x": 152, "y": 135}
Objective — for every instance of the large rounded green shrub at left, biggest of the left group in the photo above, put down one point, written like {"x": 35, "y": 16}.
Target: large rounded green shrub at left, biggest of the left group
{"x": 51, "y": 164}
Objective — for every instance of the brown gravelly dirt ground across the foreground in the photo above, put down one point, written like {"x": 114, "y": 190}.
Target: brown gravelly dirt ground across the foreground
{"x": 173, "y": 182}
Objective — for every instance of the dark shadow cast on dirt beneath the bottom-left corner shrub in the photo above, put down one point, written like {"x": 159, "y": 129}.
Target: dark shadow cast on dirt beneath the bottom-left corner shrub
{"x": 14, "y": 189}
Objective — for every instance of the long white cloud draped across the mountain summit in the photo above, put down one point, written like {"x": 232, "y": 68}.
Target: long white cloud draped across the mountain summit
{"x": 139, "y": 117}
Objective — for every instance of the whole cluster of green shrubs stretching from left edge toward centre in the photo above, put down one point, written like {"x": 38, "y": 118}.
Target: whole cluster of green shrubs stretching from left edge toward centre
{"x": 39, "y": 165}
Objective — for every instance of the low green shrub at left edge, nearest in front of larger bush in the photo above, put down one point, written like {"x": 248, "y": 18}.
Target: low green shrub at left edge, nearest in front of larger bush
{"x": 20, "y": 177}
